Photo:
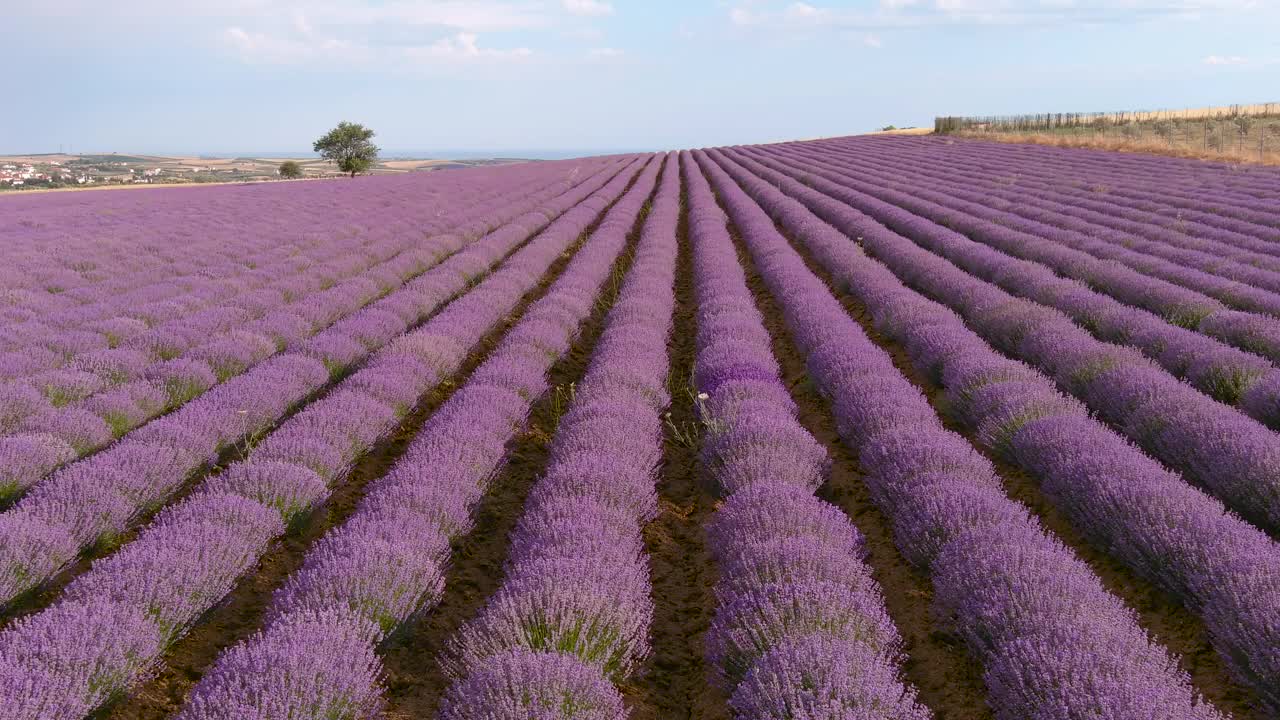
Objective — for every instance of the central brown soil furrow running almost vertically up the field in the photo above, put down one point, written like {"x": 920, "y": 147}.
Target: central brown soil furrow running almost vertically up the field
{"x": 675, "y": 685}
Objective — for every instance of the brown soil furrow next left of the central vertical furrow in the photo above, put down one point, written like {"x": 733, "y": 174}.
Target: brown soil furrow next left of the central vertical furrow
{"x": 412, "y": 658}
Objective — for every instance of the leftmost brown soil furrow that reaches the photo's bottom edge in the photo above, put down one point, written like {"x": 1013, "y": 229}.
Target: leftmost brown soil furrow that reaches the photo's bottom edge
{"x": 244, "y": 610}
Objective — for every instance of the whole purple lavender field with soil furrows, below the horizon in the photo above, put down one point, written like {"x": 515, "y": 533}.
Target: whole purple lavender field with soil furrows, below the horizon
{"x": 861, "y": 429}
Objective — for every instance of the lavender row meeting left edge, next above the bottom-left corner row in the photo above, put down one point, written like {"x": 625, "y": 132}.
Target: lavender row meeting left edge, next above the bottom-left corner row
{"x": 103, "y": 495}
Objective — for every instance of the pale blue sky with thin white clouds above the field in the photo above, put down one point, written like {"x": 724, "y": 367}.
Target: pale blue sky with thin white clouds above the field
{"x": 258, "y": 76}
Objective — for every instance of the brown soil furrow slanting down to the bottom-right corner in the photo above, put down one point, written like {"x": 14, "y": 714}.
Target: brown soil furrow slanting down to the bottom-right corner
{"x": 1160, "y": 614}
